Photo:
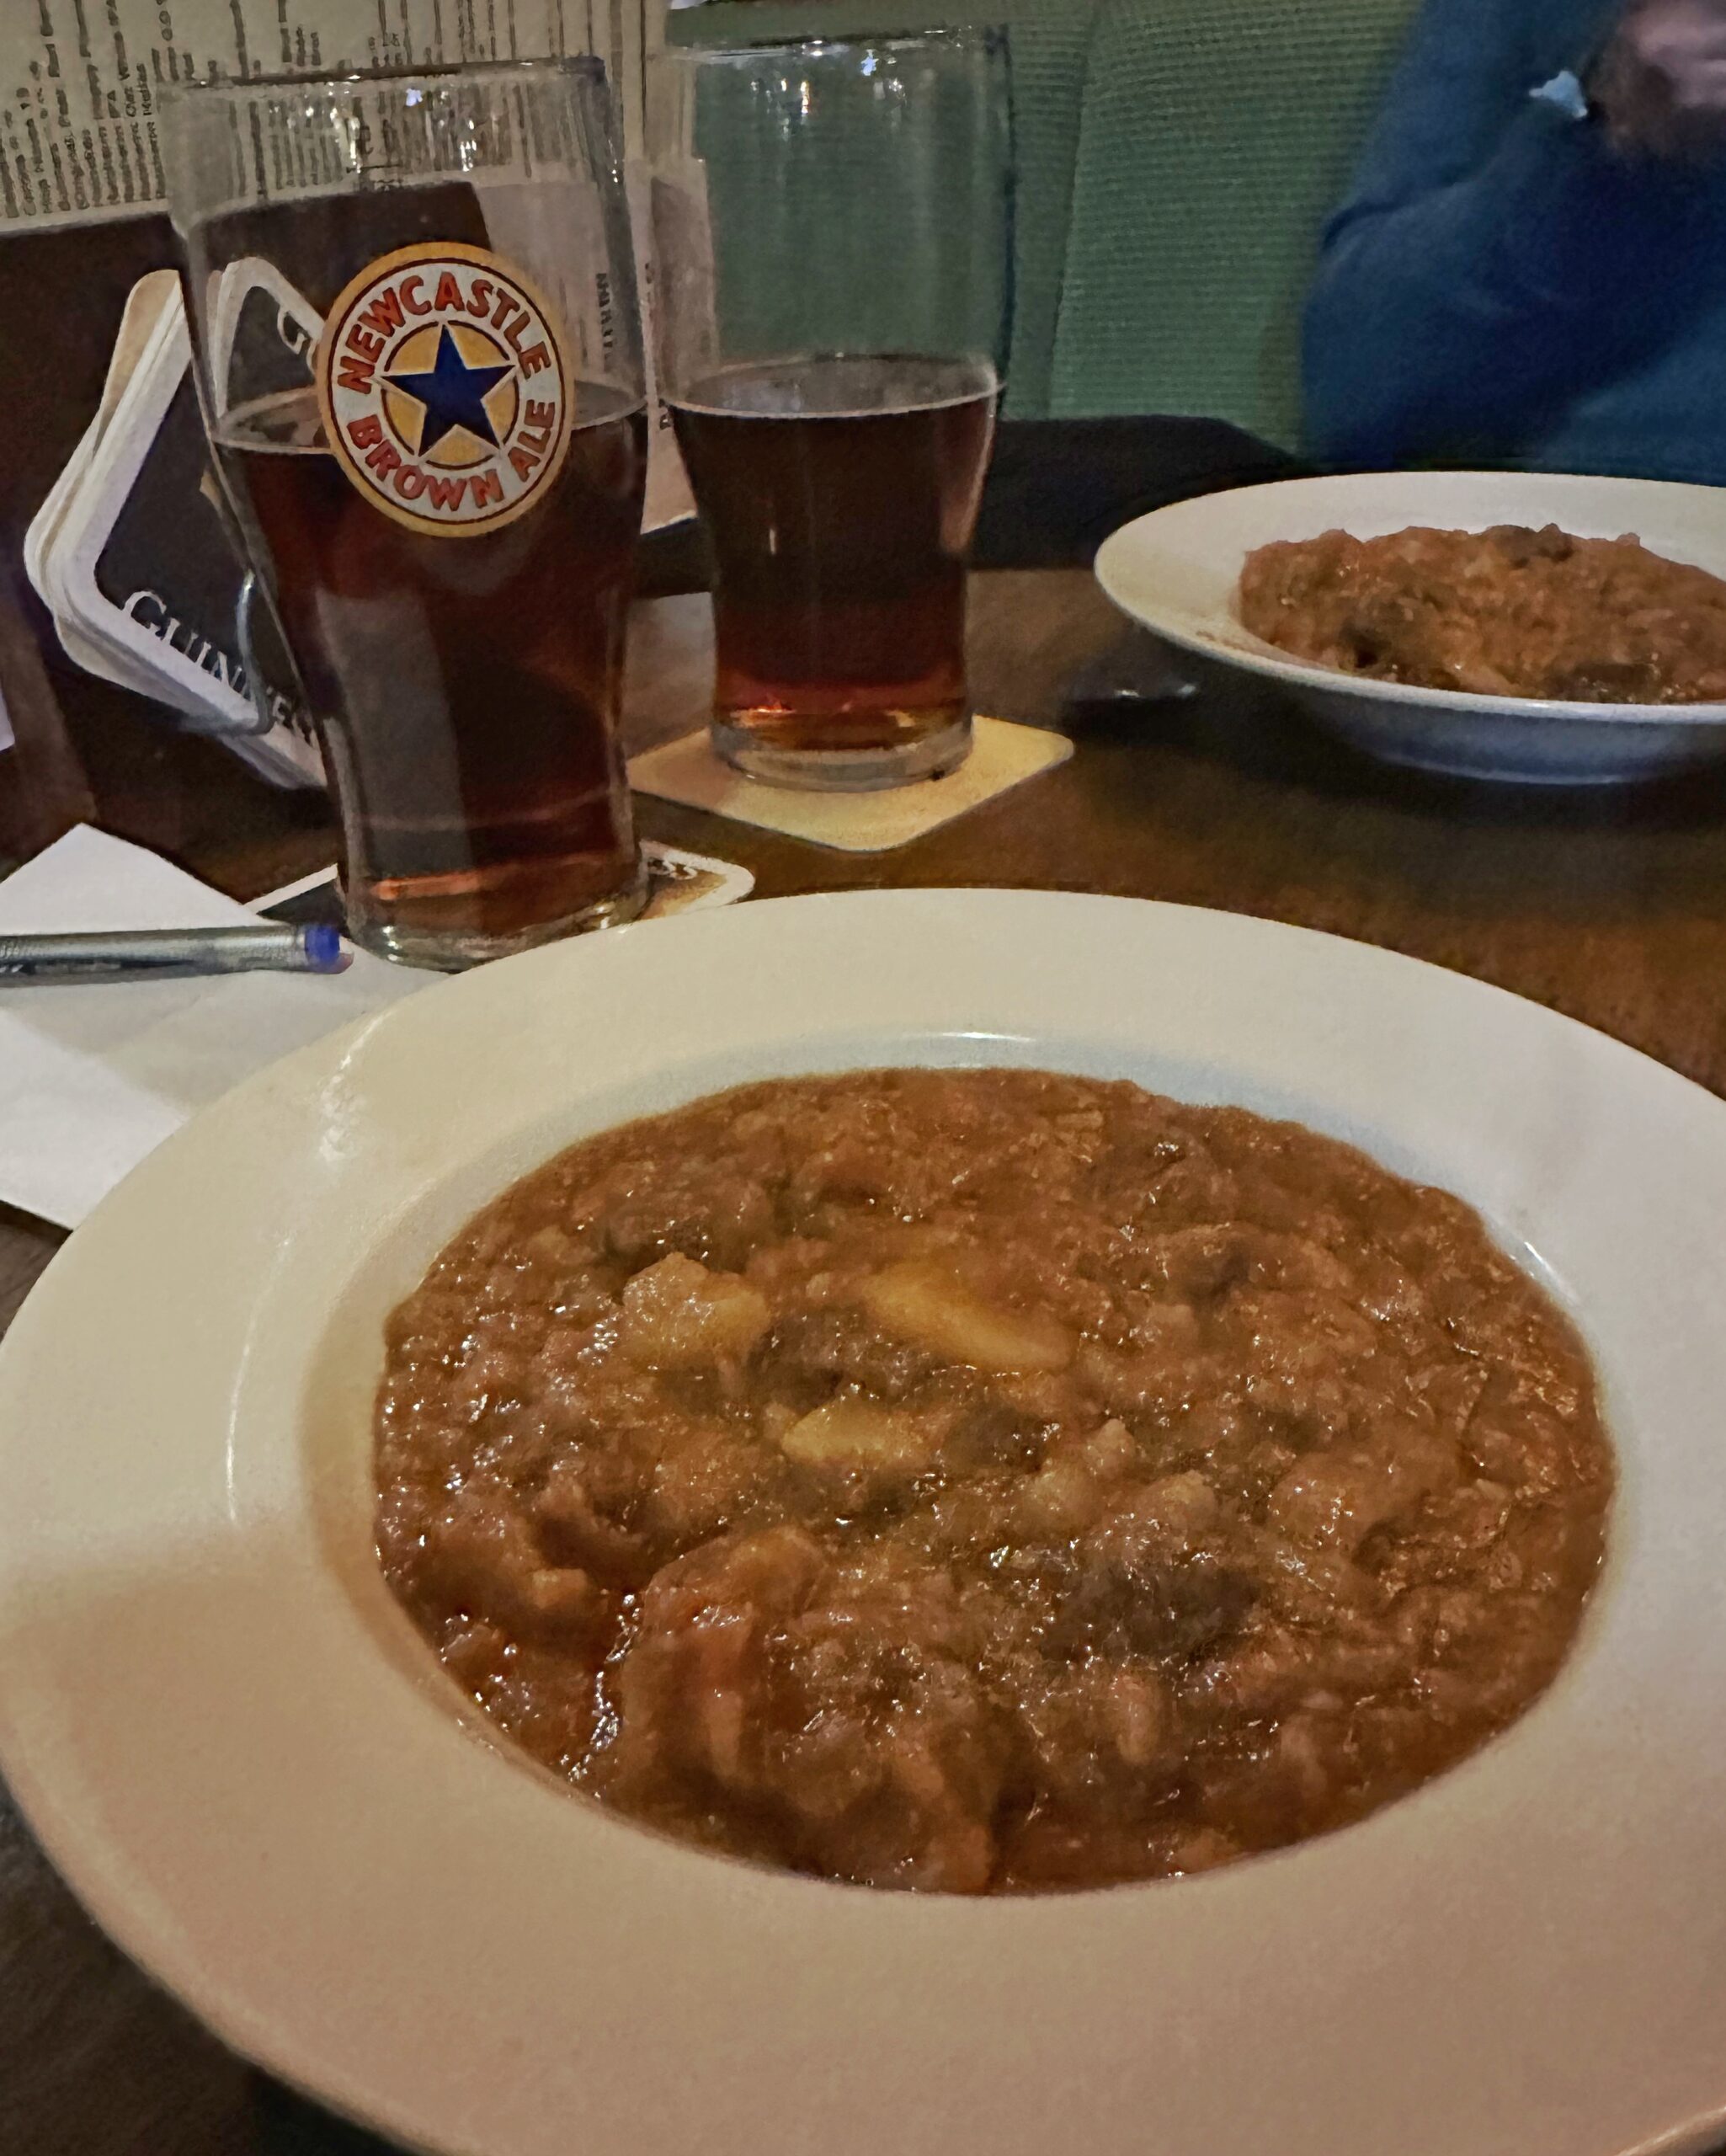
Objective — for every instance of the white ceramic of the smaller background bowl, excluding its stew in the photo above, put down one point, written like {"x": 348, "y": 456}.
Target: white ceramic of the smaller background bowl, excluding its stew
{"x": 1178, "y": 572}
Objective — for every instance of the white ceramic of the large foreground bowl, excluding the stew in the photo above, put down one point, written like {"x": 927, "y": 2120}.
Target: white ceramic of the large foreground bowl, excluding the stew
{"x": 251, "y": 1769}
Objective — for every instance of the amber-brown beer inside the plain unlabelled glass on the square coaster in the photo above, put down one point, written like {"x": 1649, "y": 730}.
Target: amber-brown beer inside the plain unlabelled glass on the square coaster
{"x": 841, "y": 497}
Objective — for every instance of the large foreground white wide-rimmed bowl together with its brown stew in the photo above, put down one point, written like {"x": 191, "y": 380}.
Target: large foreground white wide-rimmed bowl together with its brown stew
{"x": 906, "y": 1521}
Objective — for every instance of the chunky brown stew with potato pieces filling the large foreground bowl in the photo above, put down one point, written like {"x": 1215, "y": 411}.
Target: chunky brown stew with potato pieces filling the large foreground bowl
{"x": 988, "y": 1480}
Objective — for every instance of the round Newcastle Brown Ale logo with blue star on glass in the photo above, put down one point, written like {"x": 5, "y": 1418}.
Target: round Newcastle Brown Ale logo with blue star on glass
{"x": 443, "y": 387}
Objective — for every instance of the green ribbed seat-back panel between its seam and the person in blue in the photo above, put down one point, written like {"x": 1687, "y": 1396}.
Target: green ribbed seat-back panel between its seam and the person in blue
{"x": 1216, "y": 137}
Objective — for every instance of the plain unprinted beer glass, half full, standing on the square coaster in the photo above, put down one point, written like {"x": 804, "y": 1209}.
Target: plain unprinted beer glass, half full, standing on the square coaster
{"x": 833, "y": 245}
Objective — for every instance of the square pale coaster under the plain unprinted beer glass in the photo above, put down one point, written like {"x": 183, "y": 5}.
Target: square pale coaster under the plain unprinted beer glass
{"x": 1003, "y": 756}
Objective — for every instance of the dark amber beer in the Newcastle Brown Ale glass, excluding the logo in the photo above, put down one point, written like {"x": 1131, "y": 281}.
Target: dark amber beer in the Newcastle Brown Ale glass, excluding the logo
{"x": 467, "y": 691}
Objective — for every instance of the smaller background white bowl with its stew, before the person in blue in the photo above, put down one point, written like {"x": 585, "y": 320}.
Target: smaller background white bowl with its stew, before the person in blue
{"x": 1516, "y": 626}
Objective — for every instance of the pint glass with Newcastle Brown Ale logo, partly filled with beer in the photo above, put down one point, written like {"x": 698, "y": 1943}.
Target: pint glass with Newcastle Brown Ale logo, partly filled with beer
{"x": 415, "y": 320}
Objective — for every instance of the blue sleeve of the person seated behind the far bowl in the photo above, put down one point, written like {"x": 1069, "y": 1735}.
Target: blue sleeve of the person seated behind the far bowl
{"x": 1494, "y": 258}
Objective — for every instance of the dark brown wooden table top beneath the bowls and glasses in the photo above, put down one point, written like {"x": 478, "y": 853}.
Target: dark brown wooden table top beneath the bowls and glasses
{"x": 1604, "y": 904}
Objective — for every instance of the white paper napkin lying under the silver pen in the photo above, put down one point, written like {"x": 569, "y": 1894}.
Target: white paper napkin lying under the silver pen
{"x": 92, "y": 1079}
